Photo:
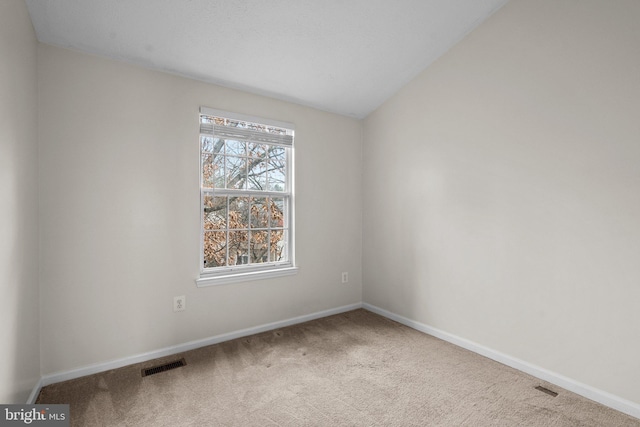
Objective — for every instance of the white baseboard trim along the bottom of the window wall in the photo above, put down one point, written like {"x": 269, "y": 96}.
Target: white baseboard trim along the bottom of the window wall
{"x": 168, "y": 351}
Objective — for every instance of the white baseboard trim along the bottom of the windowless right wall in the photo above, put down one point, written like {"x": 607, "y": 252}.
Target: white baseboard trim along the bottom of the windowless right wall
{"x": 600, "y": 396}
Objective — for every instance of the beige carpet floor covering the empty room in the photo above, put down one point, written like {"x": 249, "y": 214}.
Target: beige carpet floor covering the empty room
{"x": 352, "y": 369}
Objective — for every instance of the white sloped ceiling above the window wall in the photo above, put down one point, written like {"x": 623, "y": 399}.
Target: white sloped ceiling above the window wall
{"x": 343, "y": 56}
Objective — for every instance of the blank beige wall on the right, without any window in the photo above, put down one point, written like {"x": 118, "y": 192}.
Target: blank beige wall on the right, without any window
{"x": 501, "y": 191}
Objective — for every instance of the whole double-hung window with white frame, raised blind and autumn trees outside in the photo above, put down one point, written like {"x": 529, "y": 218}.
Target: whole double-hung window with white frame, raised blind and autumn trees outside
{"x": 246, "y": 198}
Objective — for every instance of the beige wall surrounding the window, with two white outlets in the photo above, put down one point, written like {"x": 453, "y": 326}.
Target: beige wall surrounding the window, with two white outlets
{"x": 119, "y": 215}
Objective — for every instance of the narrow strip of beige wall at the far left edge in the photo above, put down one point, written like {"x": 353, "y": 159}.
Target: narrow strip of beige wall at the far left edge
{"x": 19, "y": 321}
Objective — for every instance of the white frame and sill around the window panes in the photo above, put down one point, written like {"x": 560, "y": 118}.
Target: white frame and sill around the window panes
{"x": 246, "y": 272}
